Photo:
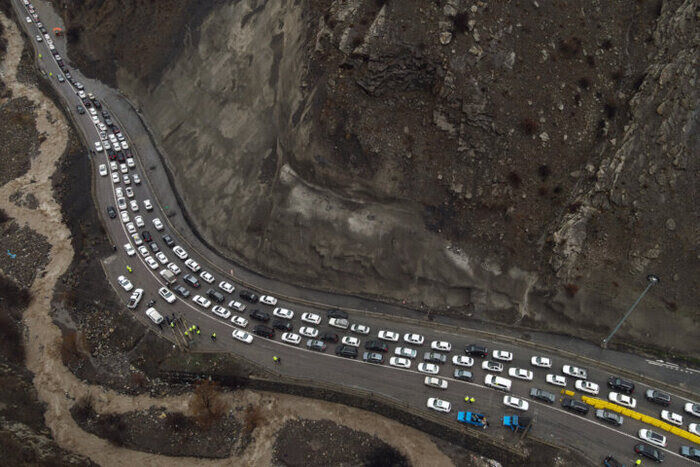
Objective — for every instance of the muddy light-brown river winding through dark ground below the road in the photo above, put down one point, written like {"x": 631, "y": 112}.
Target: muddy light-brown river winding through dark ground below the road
{"x": 59, "y": 388}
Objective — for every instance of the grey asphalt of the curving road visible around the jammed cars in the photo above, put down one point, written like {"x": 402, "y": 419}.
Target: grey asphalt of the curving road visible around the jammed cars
{"x": 586, "y": 434}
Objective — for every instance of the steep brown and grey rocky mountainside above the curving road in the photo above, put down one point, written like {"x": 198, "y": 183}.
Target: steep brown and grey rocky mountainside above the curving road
{"x": 528, "y": 163}
